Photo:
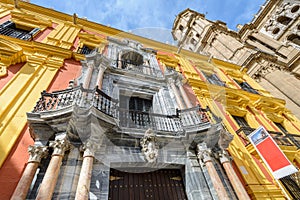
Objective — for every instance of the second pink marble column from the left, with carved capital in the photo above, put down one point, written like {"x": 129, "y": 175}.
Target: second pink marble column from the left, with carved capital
{"x": 49, "y": 181}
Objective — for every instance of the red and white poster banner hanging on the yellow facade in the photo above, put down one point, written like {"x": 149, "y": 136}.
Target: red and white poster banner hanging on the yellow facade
{"x": 271, "y": 154}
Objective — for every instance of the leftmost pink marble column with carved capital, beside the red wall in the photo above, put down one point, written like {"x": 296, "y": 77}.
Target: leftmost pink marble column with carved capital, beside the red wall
{"x": 36, "y": 154}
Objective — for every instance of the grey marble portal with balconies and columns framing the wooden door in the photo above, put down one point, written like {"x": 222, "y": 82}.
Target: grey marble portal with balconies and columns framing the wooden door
{"x": 133, "y": 123}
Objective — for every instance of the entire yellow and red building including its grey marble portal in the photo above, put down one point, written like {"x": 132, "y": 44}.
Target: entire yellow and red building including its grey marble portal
{"x": 91, "y": 112}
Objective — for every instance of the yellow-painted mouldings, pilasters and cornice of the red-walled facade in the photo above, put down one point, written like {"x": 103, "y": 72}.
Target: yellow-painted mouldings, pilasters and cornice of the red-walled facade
{"x": 42, "y": 60}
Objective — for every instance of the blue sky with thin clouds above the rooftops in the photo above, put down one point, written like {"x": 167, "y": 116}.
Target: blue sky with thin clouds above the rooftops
{"x": 154, "y": 18}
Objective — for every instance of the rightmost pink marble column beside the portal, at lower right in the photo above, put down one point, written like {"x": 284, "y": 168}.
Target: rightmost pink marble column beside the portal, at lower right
{"x": 234, "y": 180}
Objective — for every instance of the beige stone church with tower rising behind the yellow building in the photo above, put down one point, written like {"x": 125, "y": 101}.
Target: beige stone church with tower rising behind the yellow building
{"x": 268, "y": 46}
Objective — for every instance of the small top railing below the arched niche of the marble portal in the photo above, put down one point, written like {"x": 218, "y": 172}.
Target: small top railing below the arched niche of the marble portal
{"x": 141, "y": 69}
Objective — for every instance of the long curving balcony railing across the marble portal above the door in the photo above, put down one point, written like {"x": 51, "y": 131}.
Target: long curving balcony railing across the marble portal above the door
{"x": 64, "y": 99}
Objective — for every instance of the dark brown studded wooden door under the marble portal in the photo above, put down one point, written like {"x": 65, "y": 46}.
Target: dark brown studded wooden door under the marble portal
{"x": 163, "y": 184}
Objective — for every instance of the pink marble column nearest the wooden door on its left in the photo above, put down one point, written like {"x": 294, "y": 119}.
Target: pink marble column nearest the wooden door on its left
{"x": 83, "y": 187}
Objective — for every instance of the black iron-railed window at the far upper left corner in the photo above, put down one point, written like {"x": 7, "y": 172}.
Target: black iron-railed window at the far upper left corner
{"x": 9, "y": 28}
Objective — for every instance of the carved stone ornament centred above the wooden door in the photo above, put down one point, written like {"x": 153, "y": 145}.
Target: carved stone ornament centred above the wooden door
{"x": 149, "y": 146}
